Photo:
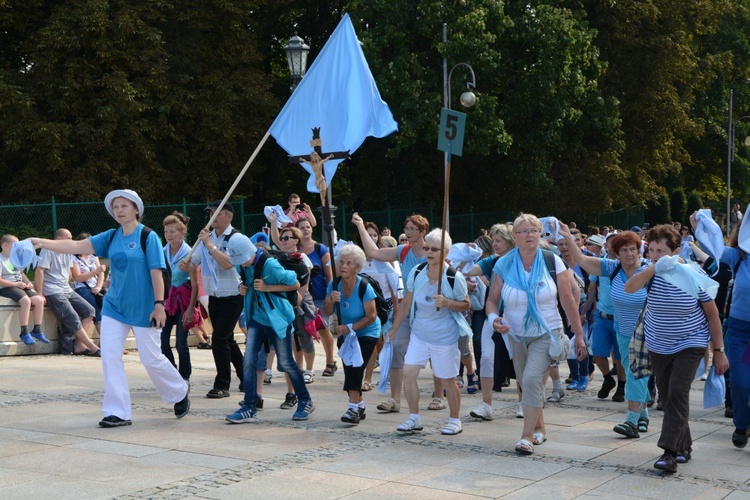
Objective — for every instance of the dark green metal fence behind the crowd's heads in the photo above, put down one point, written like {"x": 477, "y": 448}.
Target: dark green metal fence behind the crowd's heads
{"x": 43, "y": 219}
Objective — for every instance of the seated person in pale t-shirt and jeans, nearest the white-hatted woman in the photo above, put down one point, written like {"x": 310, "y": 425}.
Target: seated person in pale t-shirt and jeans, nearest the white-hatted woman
{"x": 52, "y": 278}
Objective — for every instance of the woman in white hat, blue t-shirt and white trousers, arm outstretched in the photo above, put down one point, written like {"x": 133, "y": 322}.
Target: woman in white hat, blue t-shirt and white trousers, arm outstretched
{"x": 133, "y": 267}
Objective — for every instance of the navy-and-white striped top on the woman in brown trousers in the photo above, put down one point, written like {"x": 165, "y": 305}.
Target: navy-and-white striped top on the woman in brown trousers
{"x": 675, "y": 321}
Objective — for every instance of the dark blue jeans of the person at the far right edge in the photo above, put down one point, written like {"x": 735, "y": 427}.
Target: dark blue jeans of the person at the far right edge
{"x": 736, "y": 341}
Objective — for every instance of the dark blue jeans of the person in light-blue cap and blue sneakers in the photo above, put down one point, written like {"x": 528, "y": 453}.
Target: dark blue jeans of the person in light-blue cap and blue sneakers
{"x": 256, "y": 335}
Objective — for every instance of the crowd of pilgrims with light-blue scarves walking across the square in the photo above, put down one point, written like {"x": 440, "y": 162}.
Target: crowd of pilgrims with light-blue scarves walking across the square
{"x": 647, "y": 310}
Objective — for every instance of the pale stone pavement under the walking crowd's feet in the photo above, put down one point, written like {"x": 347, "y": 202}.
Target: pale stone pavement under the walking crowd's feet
{"x": 51, "y": 445}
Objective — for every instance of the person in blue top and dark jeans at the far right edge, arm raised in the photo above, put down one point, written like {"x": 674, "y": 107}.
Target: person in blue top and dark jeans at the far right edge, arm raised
{"x": 738, "y": 329}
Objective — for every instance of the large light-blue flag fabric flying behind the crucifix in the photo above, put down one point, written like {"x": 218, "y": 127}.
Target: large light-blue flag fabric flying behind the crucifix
{"x": 339, "y": 95}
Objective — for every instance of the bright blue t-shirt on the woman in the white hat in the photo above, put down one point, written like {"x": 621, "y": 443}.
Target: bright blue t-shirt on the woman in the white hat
{"x": 130, "y": 298}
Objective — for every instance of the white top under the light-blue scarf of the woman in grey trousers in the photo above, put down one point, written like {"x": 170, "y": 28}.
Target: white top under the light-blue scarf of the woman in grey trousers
{"x": 515, "y": 302}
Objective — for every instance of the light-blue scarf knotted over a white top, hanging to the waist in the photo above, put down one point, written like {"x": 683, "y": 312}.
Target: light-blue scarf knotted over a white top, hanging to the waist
{"x": 510, "y": 269}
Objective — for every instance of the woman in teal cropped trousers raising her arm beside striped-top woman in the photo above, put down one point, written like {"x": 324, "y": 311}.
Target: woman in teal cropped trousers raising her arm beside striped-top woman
{"x": 627, "y": 306}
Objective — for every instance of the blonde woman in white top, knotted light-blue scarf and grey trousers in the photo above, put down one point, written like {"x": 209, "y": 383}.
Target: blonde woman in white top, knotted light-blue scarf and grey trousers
{"x": 522, "y": 279}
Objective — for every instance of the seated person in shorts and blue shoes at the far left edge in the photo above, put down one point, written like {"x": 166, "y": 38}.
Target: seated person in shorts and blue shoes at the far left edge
{"x": 16, "y": 286}
